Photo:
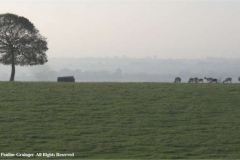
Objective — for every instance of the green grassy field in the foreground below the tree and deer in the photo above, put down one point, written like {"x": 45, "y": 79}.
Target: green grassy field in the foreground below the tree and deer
{"x": 121, "y": 120}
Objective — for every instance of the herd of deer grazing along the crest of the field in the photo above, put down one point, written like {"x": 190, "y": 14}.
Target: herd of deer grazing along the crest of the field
{"x": 200, "y": 80}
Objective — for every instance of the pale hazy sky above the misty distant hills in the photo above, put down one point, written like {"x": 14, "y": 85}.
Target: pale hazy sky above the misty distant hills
{"x": 166, "y": 29}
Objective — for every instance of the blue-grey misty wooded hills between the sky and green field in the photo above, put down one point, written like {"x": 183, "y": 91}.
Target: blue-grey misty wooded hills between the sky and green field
{"x": 123, "y": 69}
